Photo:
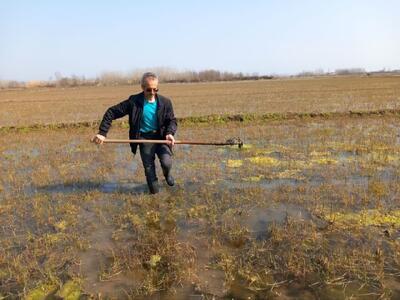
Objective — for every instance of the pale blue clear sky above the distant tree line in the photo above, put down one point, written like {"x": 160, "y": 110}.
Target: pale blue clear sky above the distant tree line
{"x": 39, "y": 38}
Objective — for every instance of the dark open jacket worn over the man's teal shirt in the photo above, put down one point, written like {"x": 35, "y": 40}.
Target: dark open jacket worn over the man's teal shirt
{"x": 133, "y": 107}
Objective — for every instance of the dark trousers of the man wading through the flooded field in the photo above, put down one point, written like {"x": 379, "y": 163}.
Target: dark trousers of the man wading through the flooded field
{"x": 148, "y": 153}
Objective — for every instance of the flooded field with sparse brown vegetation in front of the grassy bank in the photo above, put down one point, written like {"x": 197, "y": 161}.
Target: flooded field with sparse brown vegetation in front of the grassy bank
{"x": 307, "y": 209}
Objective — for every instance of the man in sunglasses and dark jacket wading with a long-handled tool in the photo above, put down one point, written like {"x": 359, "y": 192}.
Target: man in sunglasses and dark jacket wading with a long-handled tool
{"x": 151, "y": 116}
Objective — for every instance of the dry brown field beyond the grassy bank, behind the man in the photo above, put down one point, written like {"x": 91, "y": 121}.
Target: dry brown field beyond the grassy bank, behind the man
{"x": 334, "y": 94}
